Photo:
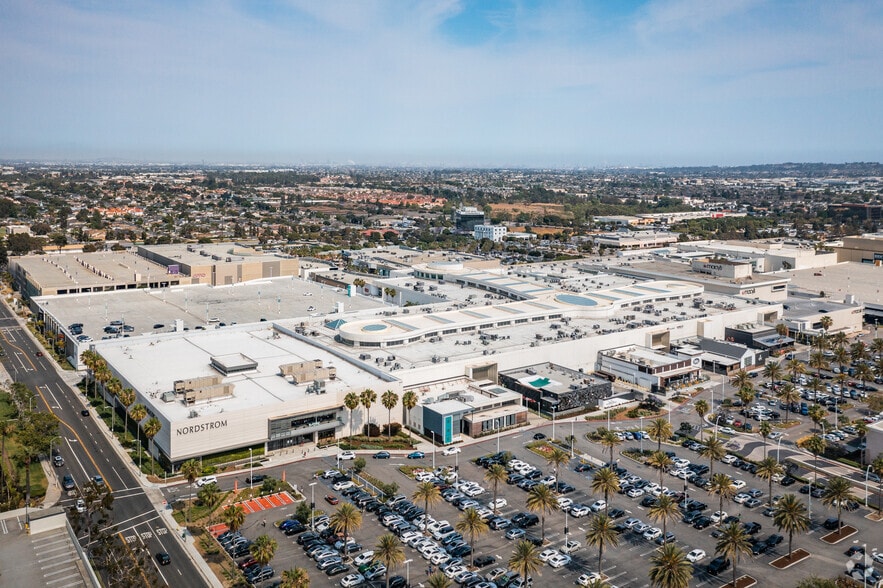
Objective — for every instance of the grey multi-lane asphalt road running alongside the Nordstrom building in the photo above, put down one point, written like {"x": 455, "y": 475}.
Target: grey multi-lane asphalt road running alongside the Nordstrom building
{"x": 87, "y": 451}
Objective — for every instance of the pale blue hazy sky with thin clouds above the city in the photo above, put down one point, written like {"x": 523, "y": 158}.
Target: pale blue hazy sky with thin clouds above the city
{"x": 486, "y": 82}
